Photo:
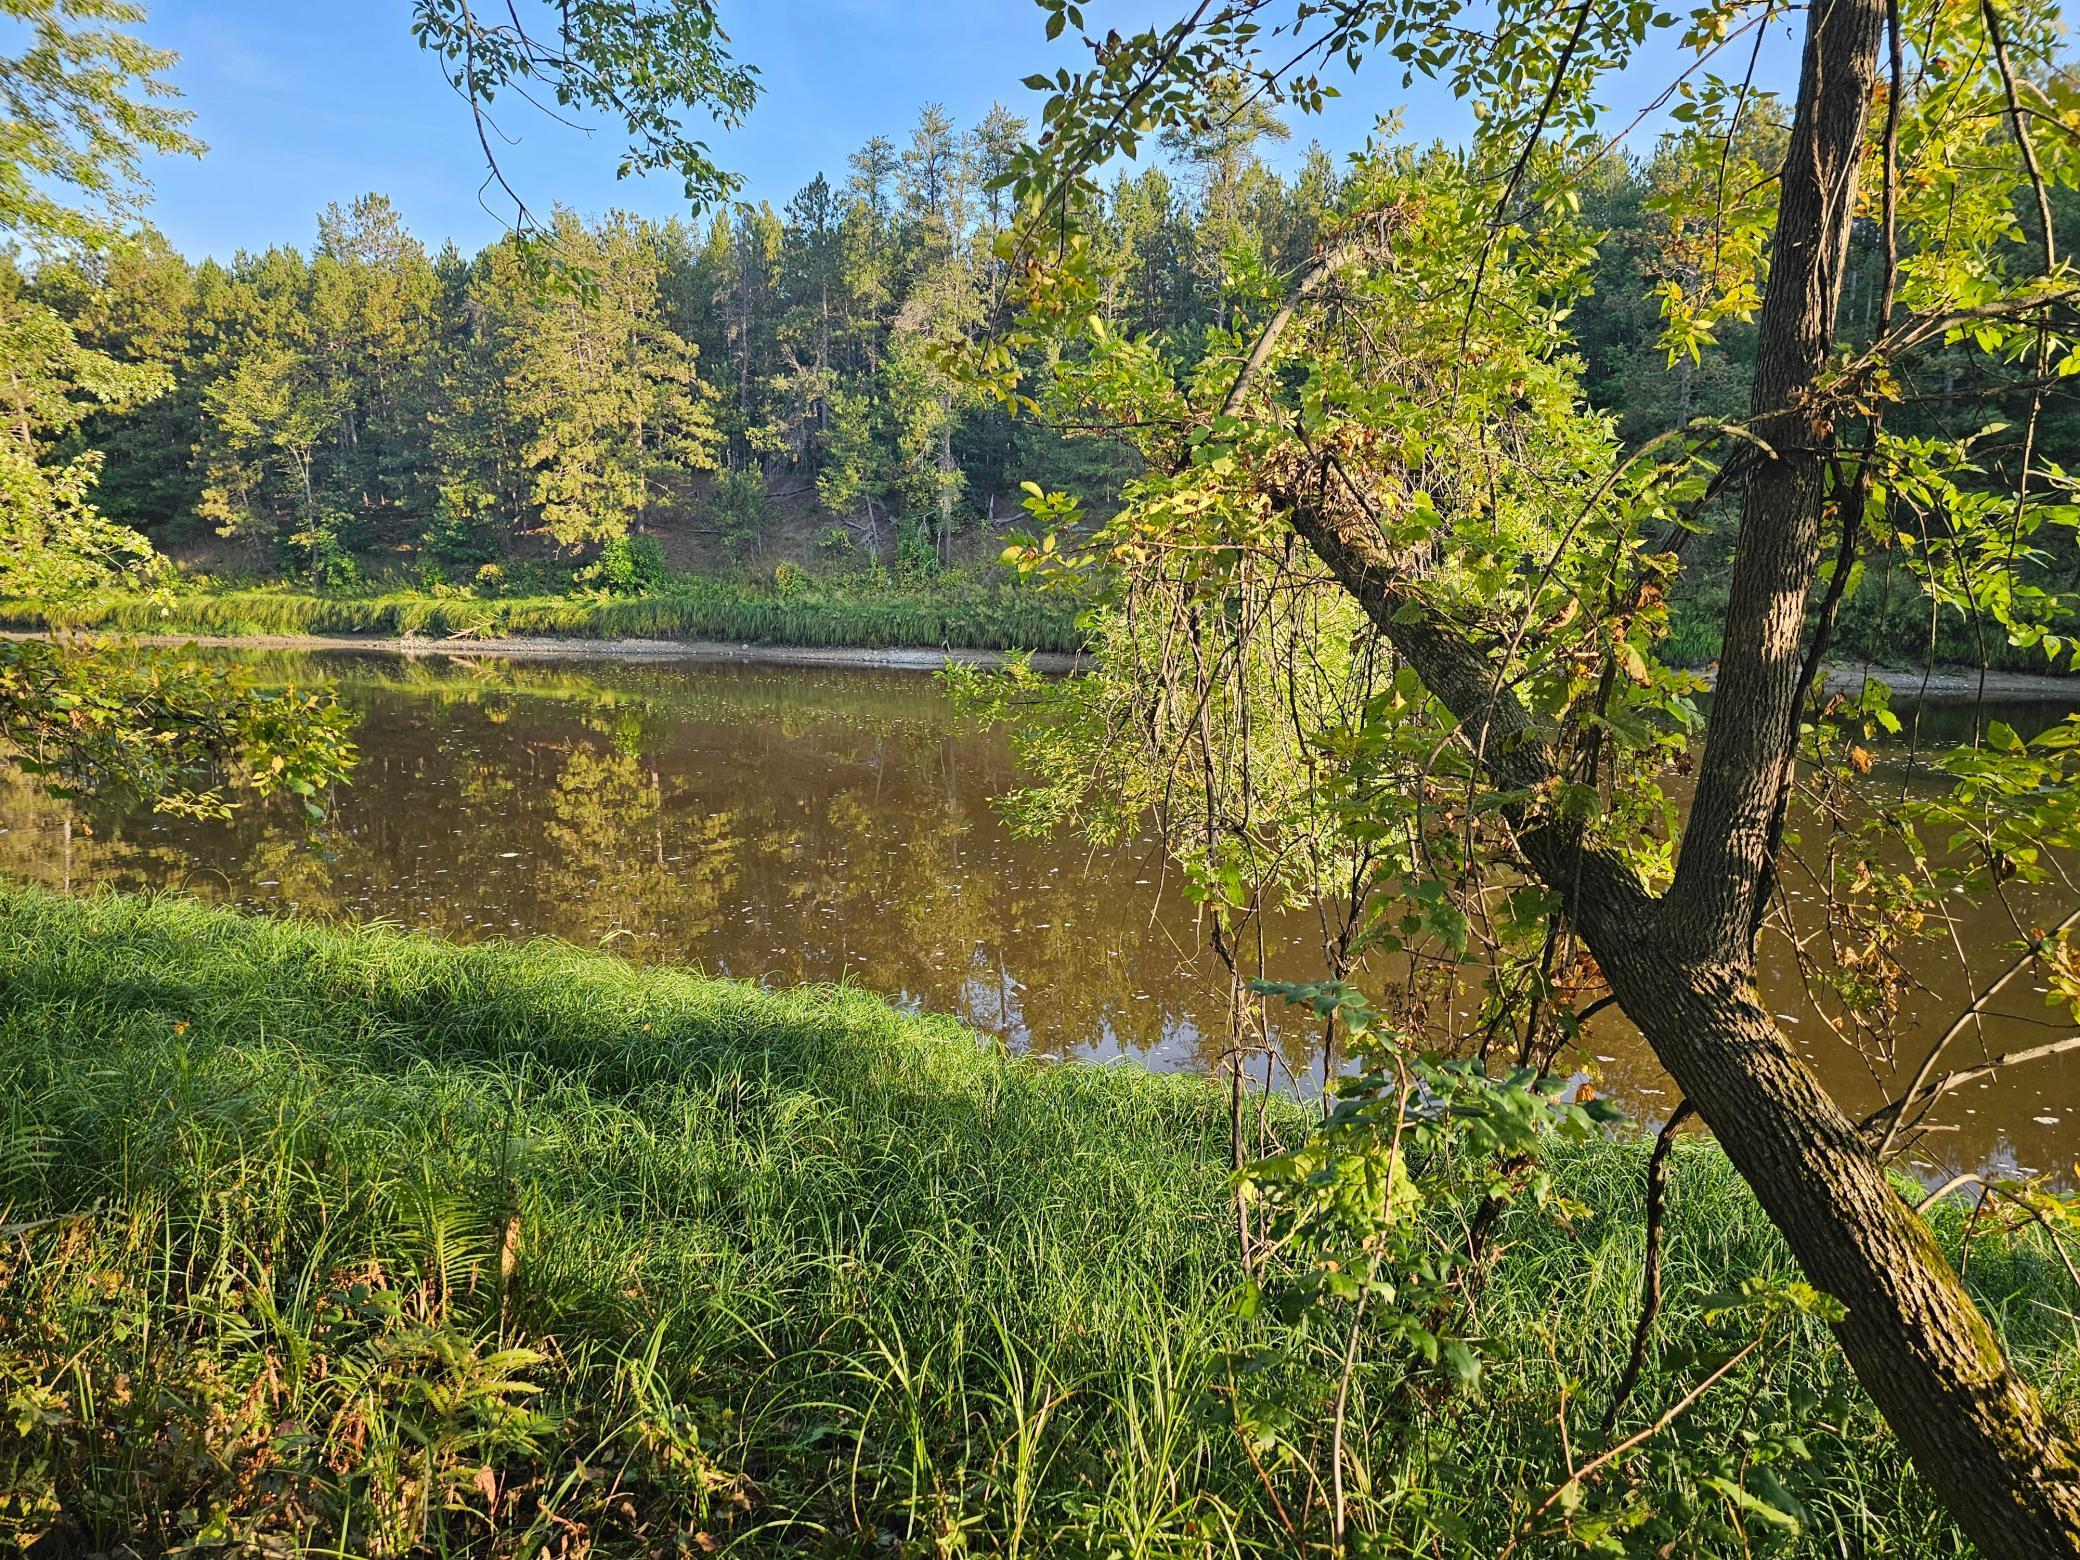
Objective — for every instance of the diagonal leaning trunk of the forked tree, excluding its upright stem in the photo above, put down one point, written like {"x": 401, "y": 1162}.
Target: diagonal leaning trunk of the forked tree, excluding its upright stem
{"x": 2004, "y": 1467}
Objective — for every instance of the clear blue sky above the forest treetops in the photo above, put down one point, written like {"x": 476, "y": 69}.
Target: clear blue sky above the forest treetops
{"x": 309, "y": 103}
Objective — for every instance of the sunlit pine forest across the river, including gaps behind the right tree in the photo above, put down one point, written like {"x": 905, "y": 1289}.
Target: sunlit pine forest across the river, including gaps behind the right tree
{"x": 369, "y": 405}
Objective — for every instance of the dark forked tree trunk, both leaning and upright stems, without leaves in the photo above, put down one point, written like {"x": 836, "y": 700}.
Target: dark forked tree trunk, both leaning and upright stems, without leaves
{"x": 1684, "y": 966}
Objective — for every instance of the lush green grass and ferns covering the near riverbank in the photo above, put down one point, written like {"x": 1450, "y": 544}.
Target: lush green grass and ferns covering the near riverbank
{"x": 365, "y": 1243}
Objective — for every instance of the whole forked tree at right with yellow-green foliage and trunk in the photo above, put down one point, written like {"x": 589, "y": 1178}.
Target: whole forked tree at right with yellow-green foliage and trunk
{"x": 1388, "y": 448}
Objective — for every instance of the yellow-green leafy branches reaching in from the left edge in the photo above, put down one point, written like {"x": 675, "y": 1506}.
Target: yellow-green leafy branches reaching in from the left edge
{"x": 80, "y": 107}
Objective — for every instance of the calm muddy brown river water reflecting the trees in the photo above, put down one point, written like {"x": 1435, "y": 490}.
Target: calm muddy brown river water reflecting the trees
{"x": 794, "y": 825}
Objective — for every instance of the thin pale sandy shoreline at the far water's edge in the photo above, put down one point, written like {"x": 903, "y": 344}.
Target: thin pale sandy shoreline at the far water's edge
{"x": 1946, "y": 685}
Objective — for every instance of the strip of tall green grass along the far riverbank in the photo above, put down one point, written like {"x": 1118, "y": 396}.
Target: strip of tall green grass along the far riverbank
{"x": 858, "y": 613}
